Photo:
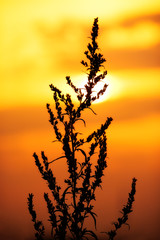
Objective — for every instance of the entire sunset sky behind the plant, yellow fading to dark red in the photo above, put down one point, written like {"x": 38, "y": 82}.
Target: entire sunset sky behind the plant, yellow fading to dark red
{"x": 42, "y": 42}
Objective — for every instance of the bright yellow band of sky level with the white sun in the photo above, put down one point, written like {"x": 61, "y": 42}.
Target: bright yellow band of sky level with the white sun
{"x": 128, "y": 83}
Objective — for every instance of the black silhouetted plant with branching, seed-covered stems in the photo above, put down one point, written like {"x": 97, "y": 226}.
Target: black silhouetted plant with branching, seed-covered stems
{"x": 67, "y": 219}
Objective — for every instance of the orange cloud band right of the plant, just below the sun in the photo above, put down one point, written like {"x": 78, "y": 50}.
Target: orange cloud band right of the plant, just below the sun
{"x": 127, "y": 109}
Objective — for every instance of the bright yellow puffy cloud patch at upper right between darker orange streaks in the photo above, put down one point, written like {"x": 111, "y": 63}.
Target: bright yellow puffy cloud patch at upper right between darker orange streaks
{"x": 139, "y": 36}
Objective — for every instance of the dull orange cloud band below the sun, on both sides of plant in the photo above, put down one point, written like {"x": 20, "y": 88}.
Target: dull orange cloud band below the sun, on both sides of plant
{"x": 20, "y": 120}
